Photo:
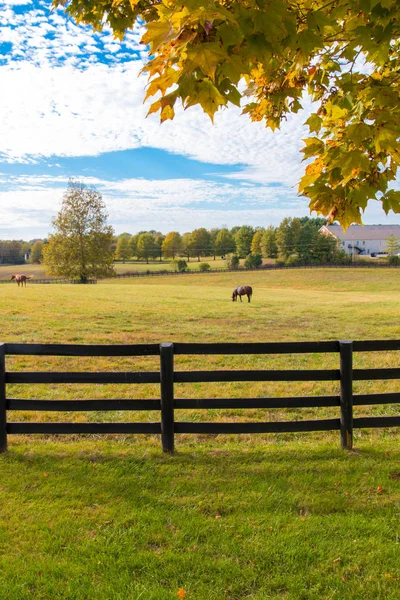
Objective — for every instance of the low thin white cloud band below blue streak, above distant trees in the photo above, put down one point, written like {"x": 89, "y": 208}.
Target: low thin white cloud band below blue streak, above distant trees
{"x": 135, "y": 204}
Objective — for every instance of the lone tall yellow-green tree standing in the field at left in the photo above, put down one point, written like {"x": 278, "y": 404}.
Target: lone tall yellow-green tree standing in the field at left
{"x": 81, "y": 244}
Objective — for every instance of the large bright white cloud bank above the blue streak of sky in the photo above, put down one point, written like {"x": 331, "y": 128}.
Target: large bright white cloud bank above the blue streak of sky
{"x": 65, "y": 111}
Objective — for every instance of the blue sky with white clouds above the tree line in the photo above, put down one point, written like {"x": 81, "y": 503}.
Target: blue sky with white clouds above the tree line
{"x": 71, "y": 105}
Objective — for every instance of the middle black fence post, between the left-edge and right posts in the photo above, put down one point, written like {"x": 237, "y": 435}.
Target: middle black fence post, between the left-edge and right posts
{"x": 167, "y": 396}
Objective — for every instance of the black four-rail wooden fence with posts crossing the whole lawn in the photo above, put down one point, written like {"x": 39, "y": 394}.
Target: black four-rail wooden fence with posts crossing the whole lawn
{"x": 167, "y": 404}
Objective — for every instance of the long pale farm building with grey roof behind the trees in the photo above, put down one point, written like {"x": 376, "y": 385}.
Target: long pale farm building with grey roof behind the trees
{"x": 362, "y": 239}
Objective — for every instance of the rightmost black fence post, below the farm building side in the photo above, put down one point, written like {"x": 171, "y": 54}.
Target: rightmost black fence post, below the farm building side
{"x": 346, "y": 394}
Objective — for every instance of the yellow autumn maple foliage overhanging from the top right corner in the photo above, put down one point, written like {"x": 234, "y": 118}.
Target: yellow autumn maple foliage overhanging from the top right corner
{"x": 344, "y": 54}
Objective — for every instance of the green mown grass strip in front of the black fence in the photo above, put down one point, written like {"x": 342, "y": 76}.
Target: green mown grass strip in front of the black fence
{"x": 235, "y": 518}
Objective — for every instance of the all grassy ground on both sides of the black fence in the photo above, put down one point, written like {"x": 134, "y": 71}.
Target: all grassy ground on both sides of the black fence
{"x": 236, "y": 517}
